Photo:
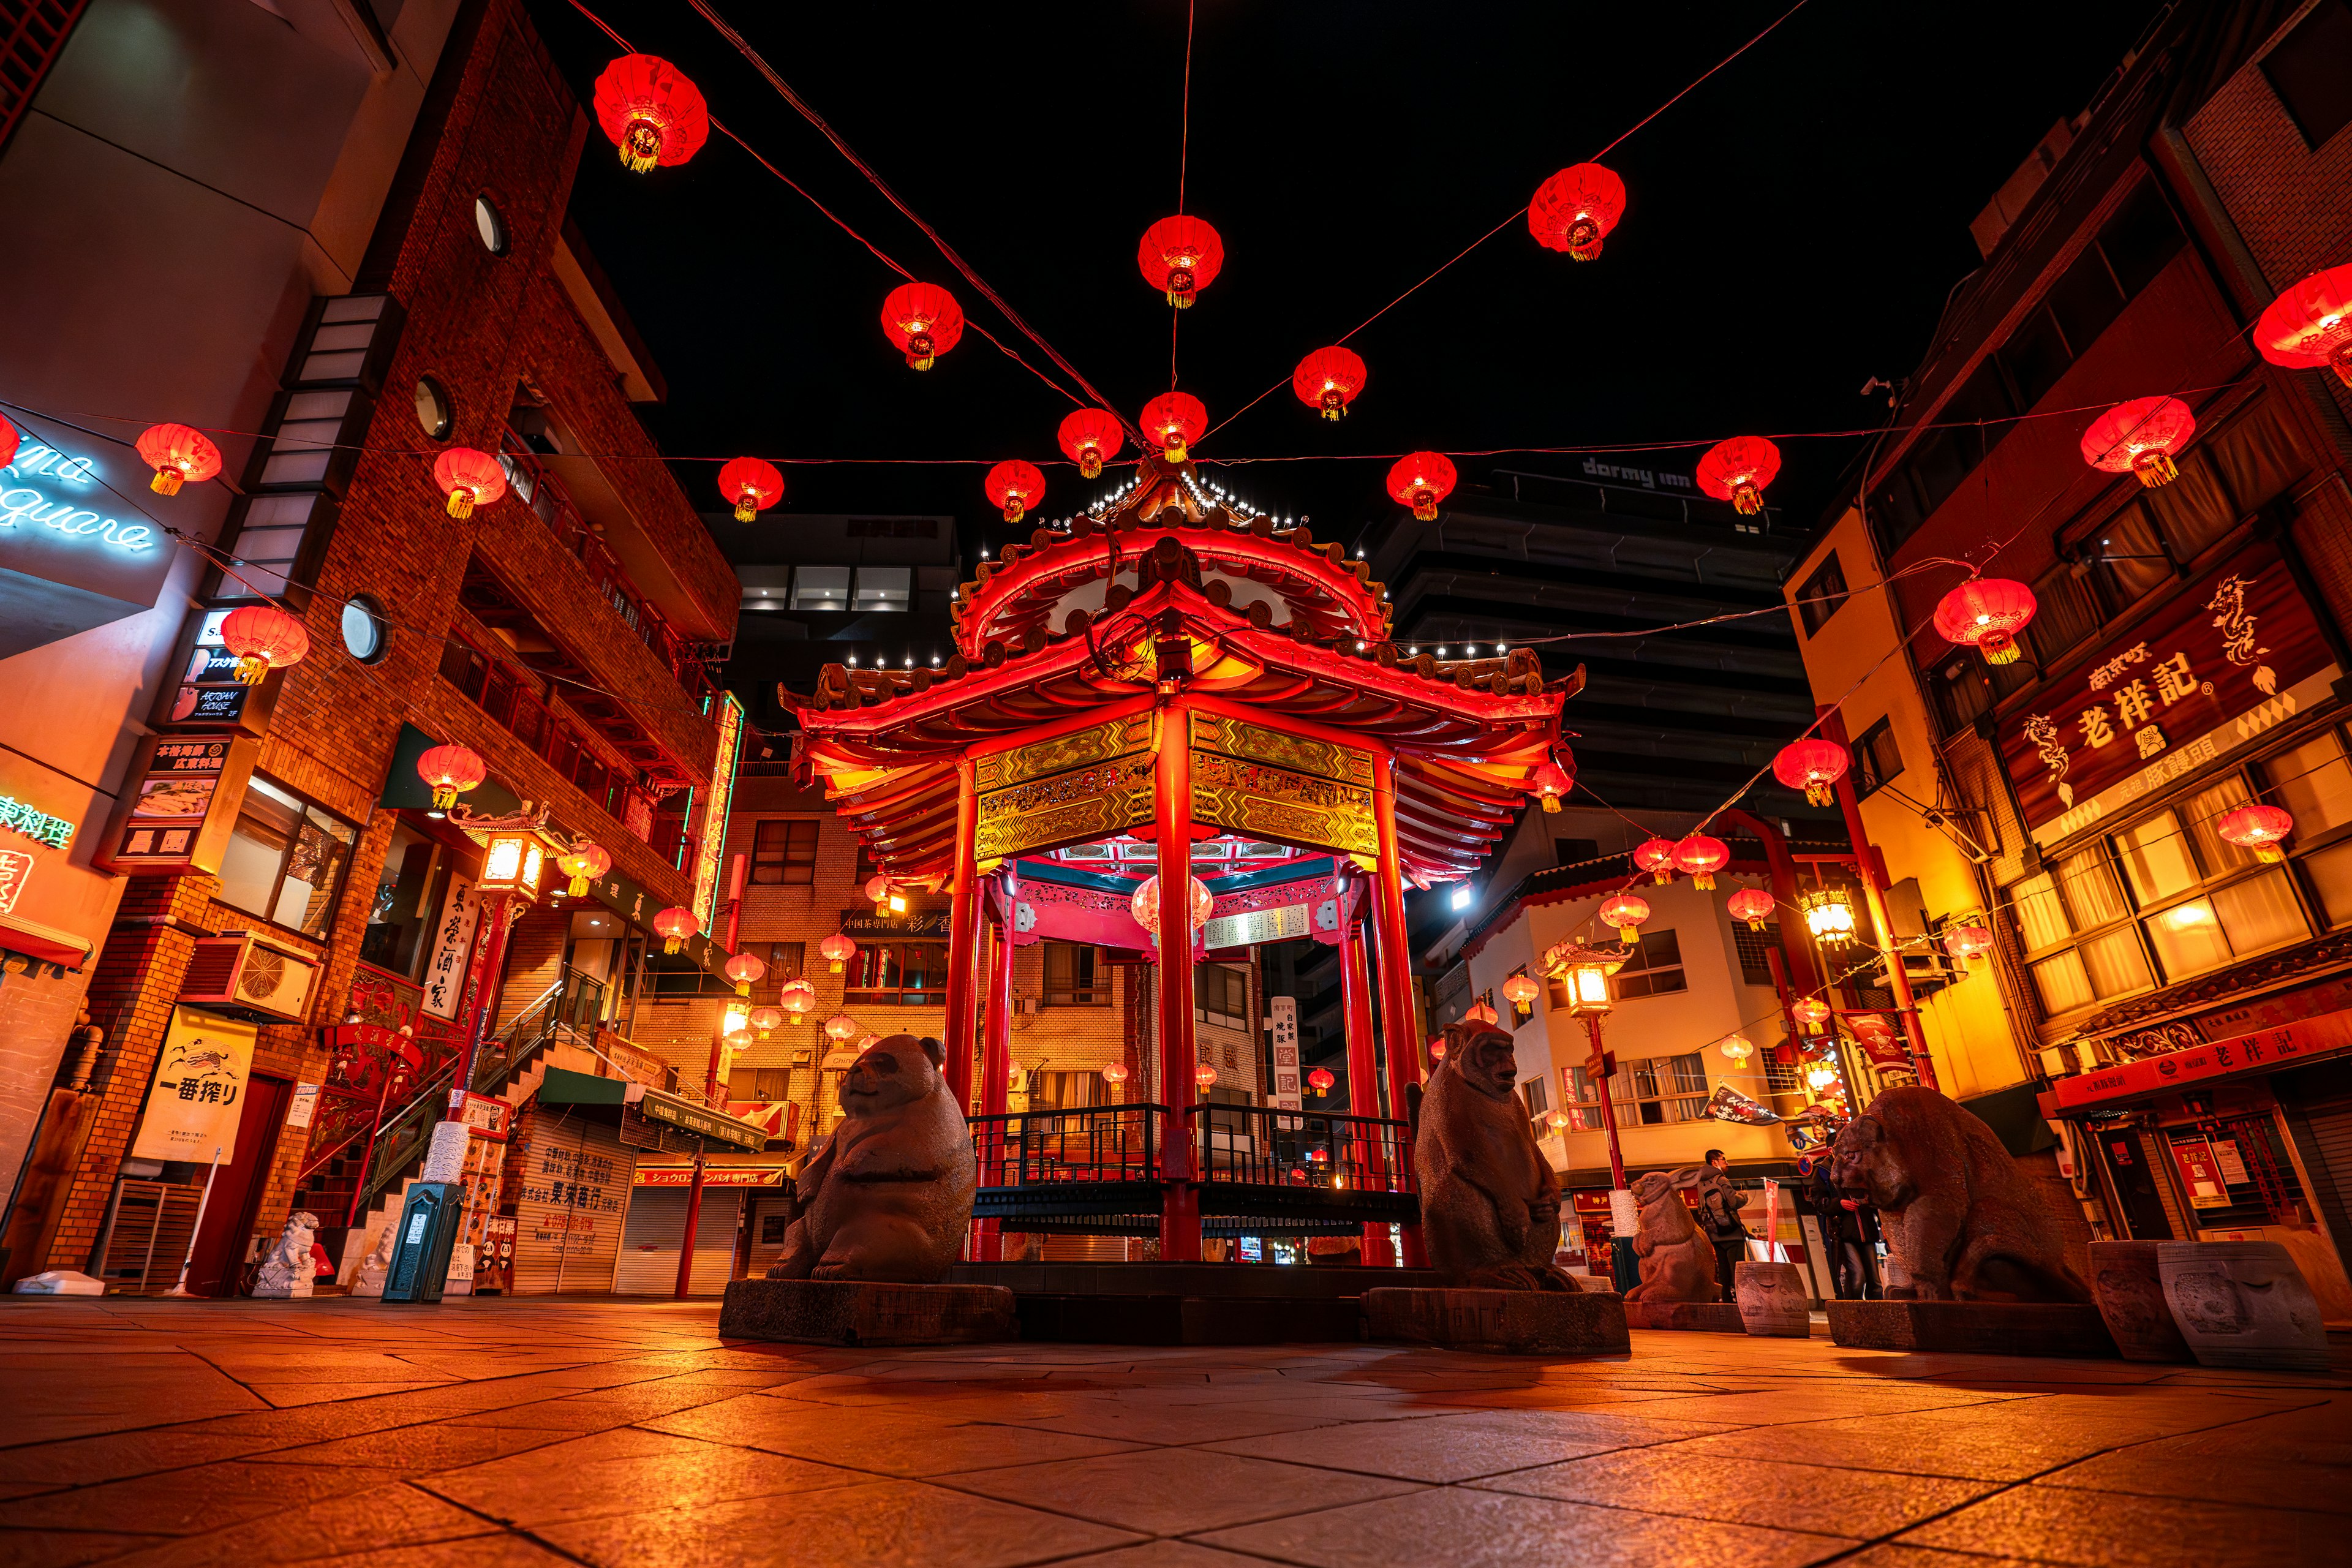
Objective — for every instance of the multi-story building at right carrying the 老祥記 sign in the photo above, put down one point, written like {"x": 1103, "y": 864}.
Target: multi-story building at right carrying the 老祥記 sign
{"x": 2163, "y": 1019}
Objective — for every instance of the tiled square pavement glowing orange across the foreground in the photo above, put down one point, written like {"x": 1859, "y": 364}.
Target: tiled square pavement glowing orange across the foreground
{"x": 507, "y": 1433}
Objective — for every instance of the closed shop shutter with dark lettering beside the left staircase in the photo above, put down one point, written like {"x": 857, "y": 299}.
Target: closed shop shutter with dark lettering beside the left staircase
{"x": 570, "y": 1188}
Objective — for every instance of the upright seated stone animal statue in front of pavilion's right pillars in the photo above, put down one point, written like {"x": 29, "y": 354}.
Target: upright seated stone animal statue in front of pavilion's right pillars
{"x": 1490, "y": 1202}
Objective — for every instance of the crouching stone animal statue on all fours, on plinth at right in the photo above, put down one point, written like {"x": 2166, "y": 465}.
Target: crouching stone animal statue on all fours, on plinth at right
{"x": 1958, "y": 1212}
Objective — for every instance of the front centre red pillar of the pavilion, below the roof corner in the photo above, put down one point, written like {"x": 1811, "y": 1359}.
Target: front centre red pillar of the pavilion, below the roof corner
{"x": 1172, "y": 817}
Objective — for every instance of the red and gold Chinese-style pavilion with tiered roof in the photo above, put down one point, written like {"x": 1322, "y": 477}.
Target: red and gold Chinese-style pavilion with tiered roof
{"x": 1165, "y": 671}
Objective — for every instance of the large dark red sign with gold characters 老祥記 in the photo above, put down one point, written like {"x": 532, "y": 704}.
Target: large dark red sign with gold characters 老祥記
{"x": 2221, "y": 664}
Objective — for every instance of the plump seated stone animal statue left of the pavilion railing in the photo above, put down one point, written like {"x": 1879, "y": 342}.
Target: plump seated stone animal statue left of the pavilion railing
{"x": 890, "y": 1193}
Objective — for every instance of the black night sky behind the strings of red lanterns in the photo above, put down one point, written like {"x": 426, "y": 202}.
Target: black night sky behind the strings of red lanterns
{"x": 1793, "y": 225}
